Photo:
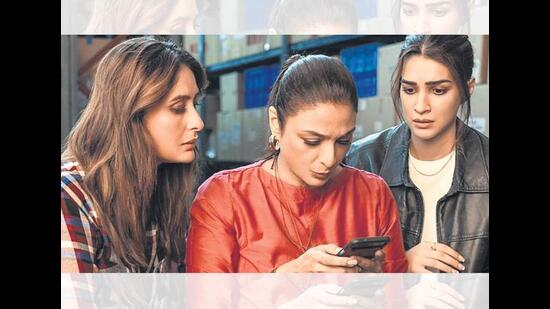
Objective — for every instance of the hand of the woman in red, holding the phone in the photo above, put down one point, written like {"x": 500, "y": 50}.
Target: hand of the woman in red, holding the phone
{"x": 322, "y": 259}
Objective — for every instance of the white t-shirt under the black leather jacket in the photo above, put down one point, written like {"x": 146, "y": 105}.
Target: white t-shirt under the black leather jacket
{"x": 432, "y": 187}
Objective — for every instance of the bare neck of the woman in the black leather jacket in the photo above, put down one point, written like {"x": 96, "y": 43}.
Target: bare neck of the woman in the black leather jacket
{"x": 435, "y": 148}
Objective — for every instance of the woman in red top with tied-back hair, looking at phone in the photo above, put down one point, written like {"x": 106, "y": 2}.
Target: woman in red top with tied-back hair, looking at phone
{"x": 294, "y": 210}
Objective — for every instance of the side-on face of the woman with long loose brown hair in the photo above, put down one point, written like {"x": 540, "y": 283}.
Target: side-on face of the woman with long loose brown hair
{"x": 174, "y": 123}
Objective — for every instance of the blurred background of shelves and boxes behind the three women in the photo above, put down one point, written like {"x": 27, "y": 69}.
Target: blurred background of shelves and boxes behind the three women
{"x": 241, "y": 70}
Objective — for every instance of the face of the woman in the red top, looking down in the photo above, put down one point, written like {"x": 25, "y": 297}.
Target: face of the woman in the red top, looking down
{"x": 314, "y": 142}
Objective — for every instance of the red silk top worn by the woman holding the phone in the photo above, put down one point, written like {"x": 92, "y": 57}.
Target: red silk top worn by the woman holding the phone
{"x": 239, "y": 224}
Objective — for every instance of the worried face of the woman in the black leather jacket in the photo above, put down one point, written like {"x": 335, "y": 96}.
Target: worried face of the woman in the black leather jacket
{"x": 430, "y": 98}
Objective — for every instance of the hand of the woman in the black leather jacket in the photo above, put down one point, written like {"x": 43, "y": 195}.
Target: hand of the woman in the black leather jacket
{"x": 435, "y": 255}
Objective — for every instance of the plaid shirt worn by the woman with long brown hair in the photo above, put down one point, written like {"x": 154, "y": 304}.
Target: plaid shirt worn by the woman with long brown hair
{"x": 84, "y": 246}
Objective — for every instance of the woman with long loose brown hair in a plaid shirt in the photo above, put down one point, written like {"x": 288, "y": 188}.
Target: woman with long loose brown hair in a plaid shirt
{"x": 128, "y": 166}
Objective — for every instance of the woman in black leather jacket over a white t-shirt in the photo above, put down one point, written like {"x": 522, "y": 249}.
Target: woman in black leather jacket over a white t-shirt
{"x": 436, "y": 165}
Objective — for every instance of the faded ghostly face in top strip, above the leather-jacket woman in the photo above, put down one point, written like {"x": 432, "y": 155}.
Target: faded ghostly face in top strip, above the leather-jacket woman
{"x": 431, "y": 16}
